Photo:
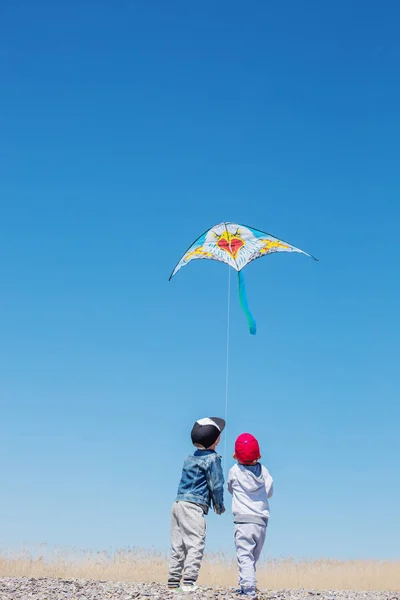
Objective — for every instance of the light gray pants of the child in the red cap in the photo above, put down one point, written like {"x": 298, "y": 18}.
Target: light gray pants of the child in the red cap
{"x": 249, "y": 541}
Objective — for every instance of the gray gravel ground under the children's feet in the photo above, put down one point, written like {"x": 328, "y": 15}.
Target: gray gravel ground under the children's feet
{"x": 20, "y": 588}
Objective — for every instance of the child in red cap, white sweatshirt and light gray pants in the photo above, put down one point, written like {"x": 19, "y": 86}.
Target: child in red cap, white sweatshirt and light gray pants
{"x": 250, "y": 485}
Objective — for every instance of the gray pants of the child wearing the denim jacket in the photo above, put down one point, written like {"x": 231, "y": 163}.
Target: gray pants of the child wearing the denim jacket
{"x": 188, "y": 536}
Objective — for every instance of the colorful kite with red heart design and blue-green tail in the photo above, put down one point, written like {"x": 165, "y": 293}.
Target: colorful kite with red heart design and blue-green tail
{"x": 236, "y": 245}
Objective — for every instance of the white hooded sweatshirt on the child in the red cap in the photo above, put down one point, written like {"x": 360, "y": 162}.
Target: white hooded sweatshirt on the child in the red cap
{"x": 250, "y": 488}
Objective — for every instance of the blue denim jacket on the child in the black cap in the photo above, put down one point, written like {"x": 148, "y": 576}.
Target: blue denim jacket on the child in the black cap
{"x": 202, "y": 480}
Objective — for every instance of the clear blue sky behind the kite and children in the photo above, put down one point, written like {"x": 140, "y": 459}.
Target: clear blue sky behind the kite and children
{"x": 128, "y": 128}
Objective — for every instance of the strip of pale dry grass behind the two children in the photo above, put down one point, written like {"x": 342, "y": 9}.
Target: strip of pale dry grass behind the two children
{"x": 138, "y": 565}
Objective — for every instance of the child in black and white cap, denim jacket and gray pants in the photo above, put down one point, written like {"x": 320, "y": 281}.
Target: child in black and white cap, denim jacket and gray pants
{"x": 201, "y": 486}
